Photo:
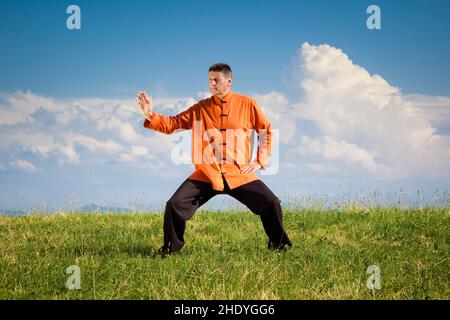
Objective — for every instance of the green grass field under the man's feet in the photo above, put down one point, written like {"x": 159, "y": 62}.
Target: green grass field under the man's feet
{"x": 225, "y": 256}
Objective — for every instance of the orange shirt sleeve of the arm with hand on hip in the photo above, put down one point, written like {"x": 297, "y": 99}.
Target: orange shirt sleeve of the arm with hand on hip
{"x": 263, "y": 128}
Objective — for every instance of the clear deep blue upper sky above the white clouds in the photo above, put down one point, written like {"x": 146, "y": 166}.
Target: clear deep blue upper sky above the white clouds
{"x": 124, "y": 46}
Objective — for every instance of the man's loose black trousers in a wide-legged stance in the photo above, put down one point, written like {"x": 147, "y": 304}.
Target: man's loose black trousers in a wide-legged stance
{"x": 192, "y": 194}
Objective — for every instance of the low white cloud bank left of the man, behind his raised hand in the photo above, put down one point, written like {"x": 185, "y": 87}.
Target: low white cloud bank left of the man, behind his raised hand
{"x": 80, "y": 131}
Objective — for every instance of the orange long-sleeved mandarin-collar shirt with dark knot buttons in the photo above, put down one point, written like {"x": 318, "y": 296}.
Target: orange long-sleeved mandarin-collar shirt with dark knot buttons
{"x": 221, "y": 137}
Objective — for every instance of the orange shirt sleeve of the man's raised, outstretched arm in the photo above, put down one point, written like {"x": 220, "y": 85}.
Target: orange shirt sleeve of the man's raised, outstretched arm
{"x": 168, "y": 124}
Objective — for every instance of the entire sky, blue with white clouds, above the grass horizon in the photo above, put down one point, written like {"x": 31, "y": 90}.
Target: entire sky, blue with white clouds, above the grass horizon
{"x": 165, "y": 47}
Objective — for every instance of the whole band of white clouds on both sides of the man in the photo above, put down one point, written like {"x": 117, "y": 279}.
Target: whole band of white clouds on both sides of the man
{"x": 343, "y": 118}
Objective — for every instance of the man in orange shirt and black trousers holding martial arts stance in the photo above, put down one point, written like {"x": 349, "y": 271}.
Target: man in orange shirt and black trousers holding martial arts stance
{"x": 221, "y": 128}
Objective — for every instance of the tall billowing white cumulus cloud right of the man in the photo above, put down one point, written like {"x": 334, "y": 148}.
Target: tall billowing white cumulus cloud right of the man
{"x": 364, "y": 120}
